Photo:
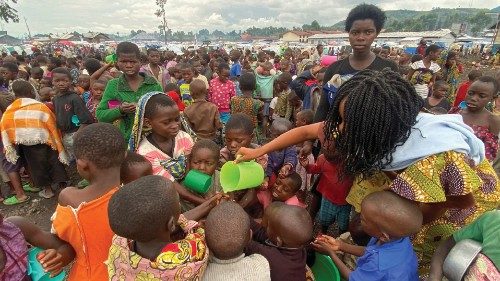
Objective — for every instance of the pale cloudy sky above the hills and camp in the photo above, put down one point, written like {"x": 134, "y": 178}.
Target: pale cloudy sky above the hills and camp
{"x": 113, "y": 16}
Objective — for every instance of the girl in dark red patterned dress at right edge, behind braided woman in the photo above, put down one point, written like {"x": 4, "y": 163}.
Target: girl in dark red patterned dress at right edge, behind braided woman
{"x": 485, "y": 124}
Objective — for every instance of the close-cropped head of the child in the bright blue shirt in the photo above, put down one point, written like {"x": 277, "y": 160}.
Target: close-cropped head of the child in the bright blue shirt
{"x": 394, "y": 215}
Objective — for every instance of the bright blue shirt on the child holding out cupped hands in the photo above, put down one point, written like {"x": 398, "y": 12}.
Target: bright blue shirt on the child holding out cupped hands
{"x": 394, "y": 260}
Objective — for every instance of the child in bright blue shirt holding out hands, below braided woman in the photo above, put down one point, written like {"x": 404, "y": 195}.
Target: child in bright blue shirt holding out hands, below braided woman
{"x": 390, "y": 220}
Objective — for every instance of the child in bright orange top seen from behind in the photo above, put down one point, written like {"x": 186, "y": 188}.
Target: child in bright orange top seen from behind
{"x": 80, "y": 213}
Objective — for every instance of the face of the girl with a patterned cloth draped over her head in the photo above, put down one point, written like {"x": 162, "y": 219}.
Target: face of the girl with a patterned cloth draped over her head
{"x": 165, "y": 122}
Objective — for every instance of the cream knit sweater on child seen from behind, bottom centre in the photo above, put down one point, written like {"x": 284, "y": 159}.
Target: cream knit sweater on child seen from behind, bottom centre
{"x": 253, "y": 267}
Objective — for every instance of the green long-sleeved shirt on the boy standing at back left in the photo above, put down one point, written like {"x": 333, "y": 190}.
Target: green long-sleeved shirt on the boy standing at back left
{"x": 119, "y": 89}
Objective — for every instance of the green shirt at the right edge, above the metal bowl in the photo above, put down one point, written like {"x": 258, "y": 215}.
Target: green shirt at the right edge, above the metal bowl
{"x": 485, "y": 230}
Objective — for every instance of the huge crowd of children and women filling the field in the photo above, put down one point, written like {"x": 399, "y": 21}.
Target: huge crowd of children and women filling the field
{"x": 382, "y": 164}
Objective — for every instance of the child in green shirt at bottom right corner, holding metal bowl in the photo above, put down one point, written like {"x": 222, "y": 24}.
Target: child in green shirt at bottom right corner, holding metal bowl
{"x": 484, "y": 230}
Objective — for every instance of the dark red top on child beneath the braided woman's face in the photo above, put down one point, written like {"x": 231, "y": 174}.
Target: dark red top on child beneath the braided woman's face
{"x": 329, "y": 184}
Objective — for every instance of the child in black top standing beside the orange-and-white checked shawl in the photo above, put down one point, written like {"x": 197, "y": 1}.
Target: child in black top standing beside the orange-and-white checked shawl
{"x": 67, "y": 105}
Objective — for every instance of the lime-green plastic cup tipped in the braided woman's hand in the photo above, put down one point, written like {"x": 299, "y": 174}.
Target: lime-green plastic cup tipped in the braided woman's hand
{"x": 244, "y": 175}
